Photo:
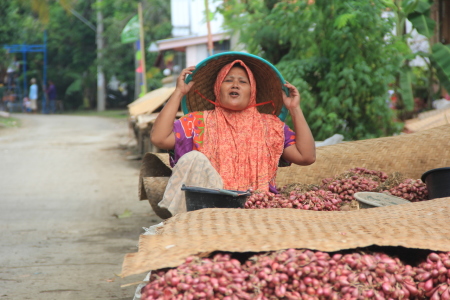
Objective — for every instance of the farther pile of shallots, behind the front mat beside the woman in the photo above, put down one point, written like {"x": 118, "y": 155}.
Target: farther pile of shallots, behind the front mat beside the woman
{"x": 333, "y": 193}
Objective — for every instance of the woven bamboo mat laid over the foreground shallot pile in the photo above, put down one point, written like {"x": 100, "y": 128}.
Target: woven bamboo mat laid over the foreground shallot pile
{"x": 422, "y": 225}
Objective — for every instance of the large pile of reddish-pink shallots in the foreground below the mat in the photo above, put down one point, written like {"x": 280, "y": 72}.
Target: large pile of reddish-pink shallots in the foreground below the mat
{"x": 303, "y": 274}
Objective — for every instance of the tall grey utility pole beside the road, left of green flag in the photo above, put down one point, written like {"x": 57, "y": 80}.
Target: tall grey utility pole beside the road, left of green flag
{"x": 100, "y": 75}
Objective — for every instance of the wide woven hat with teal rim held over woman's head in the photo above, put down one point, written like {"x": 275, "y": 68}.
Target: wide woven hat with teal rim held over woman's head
{"x": 269, "y": 83}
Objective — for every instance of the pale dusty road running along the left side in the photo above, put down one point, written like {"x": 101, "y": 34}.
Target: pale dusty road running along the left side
{"x": 63, "y": 182}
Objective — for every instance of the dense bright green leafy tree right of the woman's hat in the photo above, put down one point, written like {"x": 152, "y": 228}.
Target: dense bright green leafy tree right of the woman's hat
{"x": 341, "y": 65}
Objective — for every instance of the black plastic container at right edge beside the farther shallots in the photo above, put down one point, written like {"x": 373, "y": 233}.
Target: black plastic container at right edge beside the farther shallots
{"x": 438, "y": 182}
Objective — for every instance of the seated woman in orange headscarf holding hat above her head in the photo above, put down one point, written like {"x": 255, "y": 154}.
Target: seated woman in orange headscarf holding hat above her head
{"x": 235, "y": 146}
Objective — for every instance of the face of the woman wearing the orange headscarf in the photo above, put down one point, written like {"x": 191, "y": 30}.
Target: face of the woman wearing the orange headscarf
{"x": 235, "y": 90}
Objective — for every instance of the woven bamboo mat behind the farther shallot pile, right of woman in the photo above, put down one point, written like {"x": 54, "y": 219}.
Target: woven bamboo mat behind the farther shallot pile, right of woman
{"x": 410, "y": 154}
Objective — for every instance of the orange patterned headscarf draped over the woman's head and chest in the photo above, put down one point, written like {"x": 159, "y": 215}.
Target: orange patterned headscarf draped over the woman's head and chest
{"x": 243, "y": 146}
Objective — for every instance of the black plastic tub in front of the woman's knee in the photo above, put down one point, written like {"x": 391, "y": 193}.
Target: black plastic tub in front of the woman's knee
{"x": 198, "y": 198}
